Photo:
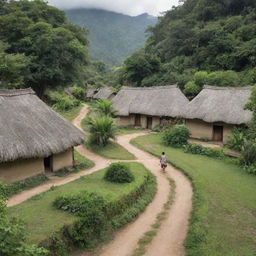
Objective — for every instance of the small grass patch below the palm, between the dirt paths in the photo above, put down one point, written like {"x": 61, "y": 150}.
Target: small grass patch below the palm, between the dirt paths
{"x": 112, "y": 151}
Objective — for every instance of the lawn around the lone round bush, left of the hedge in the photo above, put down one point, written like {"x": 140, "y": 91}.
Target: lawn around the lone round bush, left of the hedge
{"x": 42, "y": 219}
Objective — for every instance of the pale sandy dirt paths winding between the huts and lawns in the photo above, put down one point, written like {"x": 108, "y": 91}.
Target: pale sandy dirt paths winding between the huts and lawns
{"x": 171, "y": 235}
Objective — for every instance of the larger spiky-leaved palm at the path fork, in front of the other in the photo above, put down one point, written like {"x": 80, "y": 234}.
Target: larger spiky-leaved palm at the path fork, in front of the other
{"x": 101, "y": 128}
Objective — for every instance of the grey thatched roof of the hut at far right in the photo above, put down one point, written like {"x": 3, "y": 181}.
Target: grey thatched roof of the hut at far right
{"x": 220, "y": 104}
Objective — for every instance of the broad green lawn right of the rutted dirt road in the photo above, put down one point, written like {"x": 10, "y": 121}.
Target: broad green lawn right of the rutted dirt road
{"x": 224, "y": 216}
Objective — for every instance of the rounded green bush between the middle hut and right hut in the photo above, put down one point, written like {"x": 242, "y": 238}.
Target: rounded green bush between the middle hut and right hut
{"x": 176, "y": 137}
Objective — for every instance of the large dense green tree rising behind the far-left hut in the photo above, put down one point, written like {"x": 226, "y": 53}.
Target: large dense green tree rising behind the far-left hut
{"x": 42, "y": 46}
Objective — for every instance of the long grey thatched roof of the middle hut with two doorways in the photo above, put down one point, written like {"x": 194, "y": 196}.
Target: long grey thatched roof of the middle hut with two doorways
{"x": 154, "y": 101}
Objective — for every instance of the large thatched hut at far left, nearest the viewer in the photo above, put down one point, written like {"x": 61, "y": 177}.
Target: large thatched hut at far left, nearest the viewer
{"x": 33, "y": 138}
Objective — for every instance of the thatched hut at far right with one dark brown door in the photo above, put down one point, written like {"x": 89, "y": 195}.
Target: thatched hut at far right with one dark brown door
{"x": 216, "y": 110}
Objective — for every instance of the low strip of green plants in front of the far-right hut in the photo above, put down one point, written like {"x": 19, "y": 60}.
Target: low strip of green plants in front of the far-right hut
{"x": 198, "y": 149}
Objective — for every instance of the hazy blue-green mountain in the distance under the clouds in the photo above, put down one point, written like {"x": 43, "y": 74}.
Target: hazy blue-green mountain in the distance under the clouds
{"x": 112, "y": 36}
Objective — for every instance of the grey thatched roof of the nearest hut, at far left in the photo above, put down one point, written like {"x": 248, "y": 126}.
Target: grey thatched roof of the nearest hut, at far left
{"x": 30, "y": 129}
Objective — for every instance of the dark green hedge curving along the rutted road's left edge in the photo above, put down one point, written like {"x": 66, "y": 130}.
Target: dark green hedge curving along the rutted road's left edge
{"x": 97, "y": 218}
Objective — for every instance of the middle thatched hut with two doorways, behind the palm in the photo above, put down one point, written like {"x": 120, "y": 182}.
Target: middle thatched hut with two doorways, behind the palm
{"x": 149, "y": 106}
